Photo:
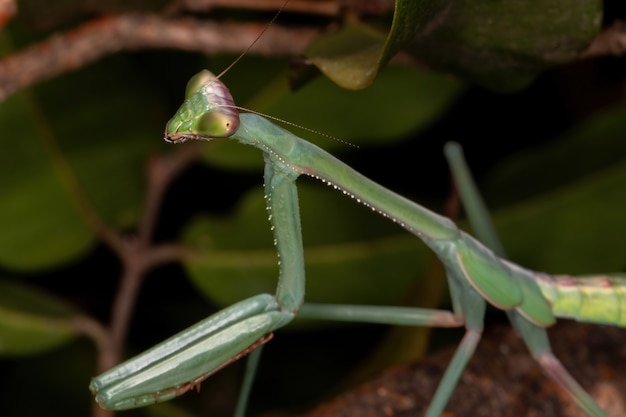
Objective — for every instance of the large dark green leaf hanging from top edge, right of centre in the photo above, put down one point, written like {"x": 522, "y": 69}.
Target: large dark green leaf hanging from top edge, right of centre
{"x": 504, "y": 45}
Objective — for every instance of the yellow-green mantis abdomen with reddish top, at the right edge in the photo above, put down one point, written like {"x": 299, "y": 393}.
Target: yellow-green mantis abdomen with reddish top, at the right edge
{"x": 592, "y": 298}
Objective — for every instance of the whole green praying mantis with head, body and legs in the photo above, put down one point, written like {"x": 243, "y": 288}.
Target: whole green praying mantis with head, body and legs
{"x": 476, "y": 275}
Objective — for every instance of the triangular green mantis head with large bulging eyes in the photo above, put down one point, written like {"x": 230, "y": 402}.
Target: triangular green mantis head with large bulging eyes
{"x": 207, "y": 113}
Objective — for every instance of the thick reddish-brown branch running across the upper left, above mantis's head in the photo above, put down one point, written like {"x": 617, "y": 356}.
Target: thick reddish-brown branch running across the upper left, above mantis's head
{"x": 108, "y": 35}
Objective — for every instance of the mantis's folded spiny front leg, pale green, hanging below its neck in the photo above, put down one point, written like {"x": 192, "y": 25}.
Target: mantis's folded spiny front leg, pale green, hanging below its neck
{"x": 183, "y": 361}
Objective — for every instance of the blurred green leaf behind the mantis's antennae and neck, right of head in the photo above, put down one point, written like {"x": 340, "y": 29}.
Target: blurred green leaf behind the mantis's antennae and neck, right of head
{"x": 359, "y": 117}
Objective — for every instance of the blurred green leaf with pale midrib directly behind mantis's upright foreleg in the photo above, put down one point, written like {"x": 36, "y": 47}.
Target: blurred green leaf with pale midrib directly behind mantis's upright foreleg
{"x": 345, "y": 261}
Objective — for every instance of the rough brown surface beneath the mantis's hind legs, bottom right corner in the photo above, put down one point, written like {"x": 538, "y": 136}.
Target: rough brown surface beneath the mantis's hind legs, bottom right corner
{"x": 501, "y": 380}
